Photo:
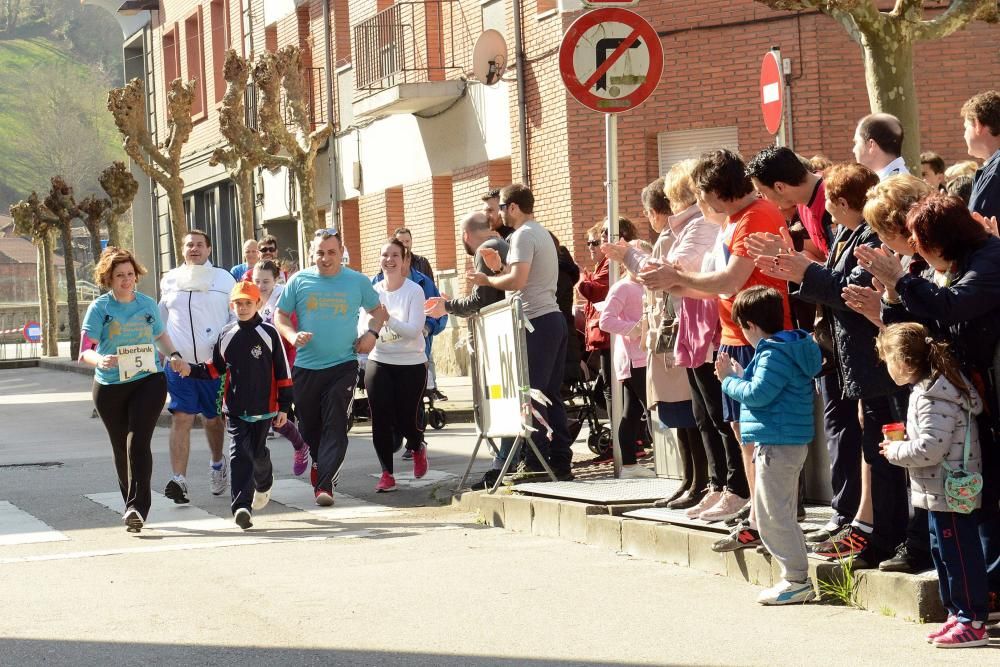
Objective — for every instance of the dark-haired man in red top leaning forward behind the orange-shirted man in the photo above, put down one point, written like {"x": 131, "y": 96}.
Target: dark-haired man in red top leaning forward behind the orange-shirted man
{"x": 782, "y": 178}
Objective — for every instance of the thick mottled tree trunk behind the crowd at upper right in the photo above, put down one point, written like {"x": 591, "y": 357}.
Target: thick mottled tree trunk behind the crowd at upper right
{"x": 888, "y": 58}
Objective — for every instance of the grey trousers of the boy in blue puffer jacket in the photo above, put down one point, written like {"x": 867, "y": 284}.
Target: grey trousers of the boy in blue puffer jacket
{"x": 776, "y": 504}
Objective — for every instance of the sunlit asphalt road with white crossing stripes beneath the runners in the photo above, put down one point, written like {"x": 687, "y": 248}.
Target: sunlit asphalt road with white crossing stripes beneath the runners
{"x": 394, "y": 579}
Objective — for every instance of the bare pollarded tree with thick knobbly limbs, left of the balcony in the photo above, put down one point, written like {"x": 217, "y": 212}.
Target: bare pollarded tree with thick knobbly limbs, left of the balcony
{"x": 292, "y": 143}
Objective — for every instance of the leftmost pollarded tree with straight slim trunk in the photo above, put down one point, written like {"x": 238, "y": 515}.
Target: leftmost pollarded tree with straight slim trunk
{"x": 33, "y": 220}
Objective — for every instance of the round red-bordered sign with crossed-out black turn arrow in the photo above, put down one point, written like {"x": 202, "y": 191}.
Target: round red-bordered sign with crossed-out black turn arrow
{"x": 611, "y": 60}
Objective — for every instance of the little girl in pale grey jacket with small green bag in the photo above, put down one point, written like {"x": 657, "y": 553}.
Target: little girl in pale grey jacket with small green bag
{"x": 941, "y": 435}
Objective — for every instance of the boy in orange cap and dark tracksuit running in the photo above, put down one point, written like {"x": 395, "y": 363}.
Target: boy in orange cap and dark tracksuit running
{"x": 250, "y": 356}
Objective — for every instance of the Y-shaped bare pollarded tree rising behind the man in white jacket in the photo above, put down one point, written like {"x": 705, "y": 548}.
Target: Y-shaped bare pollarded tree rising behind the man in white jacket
{"x": 162, "y": 162}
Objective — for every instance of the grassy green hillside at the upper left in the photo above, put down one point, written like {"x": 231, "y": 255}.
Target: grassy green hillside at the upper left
{"x": 41, "y": 84}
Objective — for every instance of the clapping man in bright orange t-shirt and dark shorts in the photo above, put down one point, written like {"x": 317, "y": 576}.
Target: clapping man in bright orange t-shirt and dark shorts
{"x": 723, "y": 186}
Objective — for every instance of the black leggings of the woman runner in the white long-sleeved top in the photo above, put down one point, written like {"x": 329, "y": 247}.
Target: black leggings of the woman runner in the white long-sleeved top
{"x": 394, "y": 396}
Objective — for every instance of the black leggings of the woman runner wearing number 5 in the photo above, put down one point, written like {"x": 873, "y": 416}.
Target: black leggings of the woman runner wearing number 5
{"x": 129, "y": 412}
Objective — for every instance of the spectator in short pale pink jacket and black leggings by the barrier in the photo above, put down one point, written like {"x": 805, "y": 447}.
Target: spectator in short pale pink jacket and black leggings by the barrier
{"x": 621, "y": 315}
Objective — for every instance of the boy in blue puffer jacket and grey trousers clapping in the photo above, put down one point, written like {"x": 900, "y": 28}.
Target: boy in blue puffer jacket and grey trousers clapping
{"x": 775, "y": 393}
